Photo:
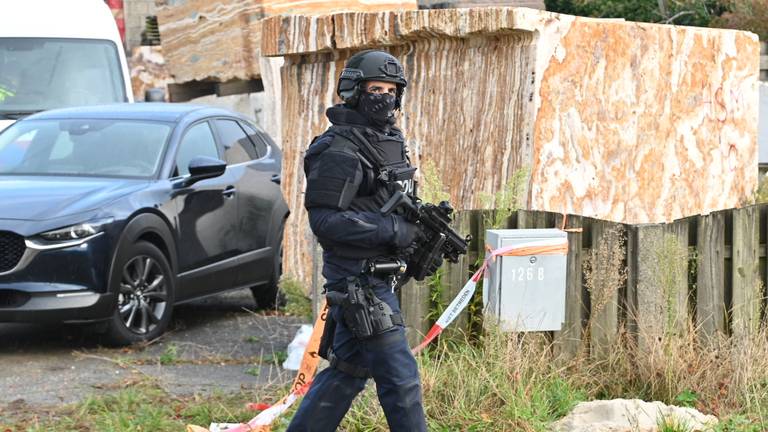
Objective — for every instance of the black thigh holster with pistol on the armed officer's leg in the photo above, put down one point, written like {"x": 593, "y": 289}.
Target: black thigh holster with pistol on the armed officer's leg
{"x": 364, "y": 314}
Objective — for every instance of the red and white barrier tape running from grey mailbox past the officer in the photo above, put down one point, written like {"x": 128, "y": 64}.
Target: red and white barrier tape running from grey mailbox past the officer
{"x": 262, "y": 422}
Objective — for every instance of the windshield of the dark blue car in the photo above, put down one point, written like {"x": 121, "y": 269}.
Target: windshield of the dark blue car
{"x": 77, "y": 147}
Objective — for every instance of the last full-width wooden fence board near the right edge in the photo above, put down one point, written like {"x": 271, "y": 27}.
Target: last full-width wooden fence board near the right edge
{"x": 746, "y": 299}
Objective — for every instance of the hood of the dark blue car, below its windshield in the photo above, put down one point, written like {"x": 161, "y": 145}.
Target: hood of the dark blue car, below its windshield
{"x": 40, "y": 198}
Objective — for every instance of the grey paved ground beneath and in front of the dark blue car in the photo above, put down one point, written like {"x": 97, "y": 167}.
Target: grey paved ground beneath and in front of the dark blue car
{"x": 214, "y": 344}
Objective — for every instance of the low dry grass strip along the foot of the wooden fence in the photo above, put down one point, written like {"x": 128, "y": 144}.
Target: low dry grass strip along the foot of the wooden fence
{"x": 510, "y": 382}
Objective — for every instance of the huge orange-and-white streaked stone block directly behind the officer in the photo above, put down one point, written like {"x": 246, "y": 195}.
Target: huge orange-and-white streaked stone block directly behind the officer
{"x": 629, "y": 122}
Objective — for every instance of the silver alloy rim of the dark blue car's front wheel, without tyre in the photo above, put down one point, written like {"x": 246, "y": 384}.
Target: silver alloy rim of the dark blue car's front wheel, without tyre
{"x": 143, "y": 295}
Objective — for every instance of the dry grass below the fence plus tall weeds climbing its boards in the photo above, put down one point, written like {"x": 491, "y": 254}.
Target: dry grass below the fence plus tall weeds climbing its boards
{"x": 513, "y": 382}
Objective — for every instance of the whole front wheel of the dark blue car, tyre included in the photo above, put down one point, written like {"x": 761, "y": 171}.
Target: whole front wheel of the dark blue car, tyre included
{"x": 145, "y": 289}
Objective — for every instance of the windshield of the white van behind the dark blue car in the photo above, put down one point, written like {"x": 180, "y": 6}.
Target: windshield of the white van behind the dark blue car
{"x": 39, "y": 74}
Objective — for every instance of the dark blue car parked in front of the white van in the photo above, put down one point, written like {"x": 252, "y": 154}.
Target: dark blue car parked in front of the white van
{"x": 117, "y": 213}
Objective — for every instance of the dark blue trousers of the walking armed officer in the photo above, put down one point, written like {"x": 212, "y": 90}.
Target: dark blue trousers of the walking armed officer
{"x": 393, "y": 367}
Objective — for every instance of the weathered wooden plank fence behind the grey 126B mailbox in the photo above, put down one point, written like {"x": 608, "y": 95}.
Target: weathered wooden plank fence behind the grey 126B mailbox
{"x": 648, "y": 279}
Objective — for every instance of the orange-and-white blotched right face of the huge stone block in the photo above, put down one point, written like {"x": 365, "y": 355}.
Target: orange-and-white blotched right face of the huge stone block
{"x": 654, "y": 122}
